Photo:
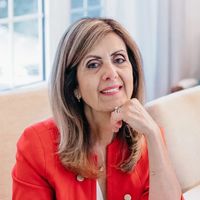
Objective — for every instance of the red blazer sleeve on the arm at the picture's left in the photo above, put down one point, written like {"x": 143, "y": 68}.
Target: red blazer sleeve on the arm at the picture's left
{"x": 29, "y": 172}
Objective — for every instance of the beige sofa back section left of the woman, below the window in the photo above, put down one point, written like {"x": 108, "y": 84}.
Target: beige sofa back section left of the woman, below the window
{"x": 17, "y": 110}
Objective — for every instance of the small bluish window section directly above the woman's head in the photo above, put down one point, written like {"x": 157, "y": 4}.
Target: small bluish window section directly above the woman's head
{"x": 84, "y": 8}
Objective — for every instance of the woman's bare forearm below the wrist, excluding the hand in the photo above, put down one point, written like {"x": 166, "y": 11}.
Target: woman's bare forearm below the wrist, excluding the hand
{"x": 163, "y": 181}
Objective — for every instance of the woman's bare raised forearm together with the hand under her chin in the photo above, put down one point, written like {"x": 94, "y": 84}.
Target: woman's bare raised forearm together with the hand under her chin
{"x": 163, "y": 182}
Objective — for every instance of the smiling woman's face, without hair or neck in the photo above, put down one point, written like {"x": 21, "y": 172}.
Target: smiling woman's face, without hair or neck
{"x": 104, "y": 75}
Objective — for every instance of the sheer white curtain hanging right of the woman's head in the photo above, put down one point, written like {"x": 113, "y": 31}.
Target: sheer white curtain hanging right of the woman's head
{"x": 168, "y": 35}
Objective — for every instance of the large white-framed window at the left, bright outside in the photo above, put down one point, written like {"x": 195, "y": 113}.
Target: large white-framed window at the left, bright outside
{"x": 21, "y": 42}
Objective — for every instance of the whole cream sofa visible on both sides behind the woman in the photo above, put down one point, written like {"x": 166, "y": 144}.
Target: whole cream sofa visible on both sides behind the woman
{"x": 177, "y": 113}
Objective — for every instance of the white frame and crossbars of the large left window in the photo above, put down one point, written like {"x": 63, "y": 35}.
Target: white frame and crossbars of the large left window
{"x": 10, "y": 20}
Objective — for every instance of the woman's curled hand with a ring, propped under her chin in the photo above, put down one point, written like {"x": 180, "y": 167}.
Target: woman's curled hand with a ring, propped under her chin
{"x": 134, "y": 114}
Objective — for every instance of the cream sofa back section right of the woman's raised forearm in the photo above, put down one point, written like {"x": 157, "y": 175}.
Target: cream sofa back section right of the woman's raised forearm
{"x": 179, "y": 115}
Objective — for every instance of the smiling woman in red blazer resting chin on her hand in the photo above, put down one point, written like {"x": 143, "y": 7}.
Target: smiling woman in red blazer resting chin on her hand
{"x": 95, "y": 147}
